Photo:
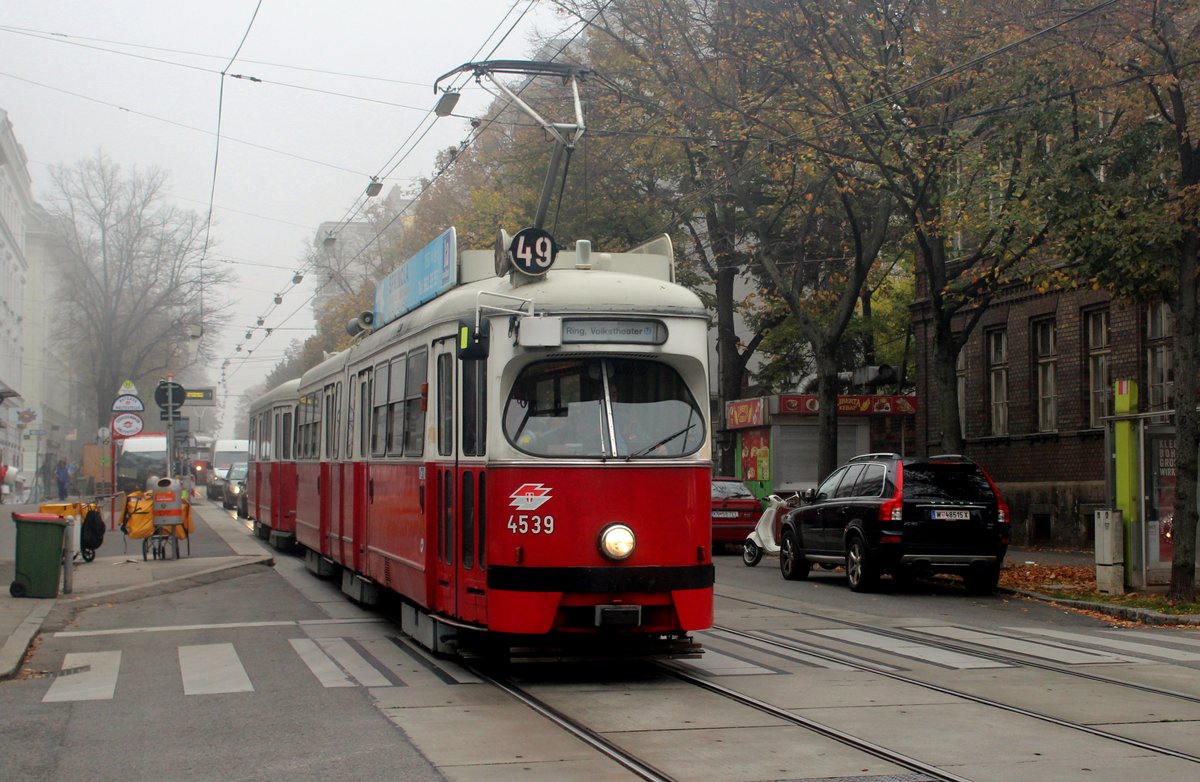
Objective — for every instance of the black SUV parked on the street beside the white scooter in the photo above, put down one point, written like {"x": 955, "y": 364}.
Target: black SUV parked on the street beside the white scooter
{"x": 883, "y": 513}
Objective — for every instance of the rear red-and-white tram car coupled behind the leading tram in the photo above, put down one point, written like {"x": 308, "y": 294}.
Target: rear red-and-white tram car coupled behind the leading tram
{"x": 272, "y": 471}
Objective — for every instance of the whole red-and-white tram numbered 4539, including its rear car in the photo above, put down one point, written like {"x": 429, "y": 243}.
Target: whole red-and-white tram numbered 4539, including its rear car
{"x": 521, "y": 454}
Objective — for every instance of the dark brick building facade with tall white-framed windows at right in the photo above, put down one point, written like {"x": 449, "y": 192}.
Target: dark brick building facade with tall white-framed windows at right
{"x": 1035, "y": 386}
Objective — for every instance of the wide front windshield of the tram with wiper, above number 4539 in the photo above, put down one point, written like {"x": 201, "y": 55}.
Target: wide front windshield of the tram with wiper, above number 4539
{"x": 603, "y": 408}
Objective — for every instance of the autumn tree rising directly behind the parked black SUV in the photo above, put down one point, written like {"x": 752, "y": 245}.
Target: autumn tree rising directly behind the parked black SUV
{"x": 955, "y": 147}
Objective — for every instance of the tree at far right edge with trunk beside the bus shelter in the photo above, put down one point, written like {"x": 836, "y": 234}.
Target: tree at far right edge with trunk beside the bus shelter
{"x": 1137, "y": 167}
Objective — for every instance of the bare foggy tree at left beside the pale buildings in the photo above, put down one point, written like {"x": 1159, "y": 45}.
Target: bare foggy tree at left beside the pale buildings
{"x": 133, "y": 281}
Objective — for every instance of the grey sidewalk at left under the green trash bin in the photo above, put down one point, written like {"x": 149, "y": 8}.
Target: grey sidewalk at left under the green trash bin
{"x": 221, "y": 548}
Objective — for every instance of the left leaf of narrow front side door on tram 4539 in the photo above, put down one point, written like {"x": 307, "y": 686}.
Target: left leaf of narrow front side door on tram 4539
{"x": 446, "y": 483}
